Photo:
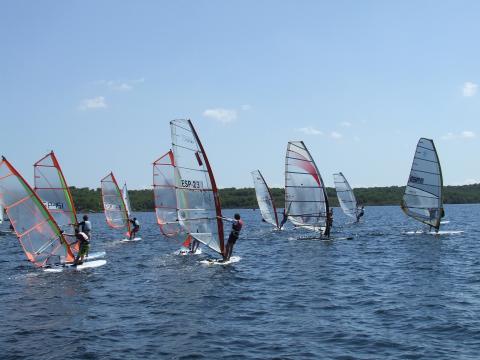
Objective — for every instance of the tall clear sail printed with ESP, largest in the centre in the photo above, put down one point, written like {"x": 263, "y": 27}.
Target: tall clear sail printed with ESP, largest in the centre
{"x": 198, "y": 203}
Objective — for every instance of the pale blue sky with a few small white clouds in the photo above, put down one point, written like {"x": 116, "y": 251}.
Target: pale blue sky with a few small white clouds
{"x": 358, "y": 81}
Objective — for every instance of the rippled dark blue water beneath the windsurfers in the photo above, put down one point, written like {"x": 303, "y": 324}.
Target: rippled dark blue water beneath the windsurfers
{"x": 383, "y": 294}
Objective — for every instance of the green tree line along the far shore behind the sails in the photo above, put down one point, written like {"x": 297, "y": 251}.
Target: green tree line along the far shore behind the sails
{"x": 142, "y": 200}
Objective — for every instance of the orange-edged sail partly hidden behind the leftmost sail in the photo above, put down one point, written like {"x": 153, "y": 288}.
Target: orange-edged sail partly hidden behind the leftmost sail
{"x": 51, "y": 187}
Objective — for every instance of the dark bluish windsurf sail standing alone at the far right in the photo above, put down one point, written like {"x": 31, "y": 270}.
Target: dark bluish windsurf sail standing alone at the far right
{"x": 423, "y": 195}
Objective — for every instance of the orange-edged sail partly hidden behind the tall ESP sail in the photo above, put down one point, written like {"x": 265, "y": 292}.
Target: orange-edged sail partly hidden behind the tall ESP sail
{"x": 165, "y": 195}
